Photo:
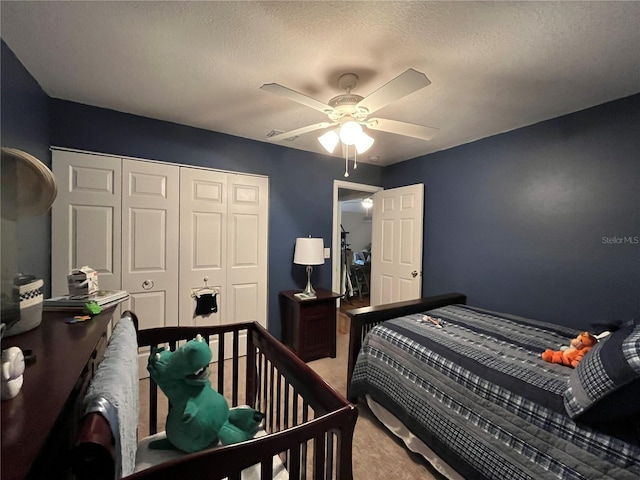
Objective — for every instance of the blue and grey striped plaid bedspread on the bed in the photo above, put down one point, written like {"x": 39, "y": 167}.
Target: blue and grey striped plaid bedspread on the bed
{"x": 478, "y": 393}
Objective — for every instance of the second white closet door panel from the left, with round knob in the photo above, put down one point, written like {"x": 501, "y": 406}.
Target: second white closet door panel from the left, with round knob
{"x": 150, "y": 216}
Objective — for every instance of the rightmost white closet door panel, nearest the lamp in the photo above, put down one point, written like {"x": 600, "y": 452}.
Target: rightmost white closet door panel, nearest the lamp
{"x": 246, "y": 296}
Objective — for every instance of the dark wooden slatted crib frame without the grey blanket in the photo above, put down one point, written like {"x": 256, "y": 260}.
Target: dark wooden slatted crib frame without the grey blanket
{"x": 309, "y": 426}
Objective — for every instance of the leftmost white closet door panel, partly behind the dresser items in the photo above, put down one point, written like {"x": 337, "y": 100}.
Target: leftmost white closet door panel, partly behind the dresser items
{"x": 86, "y": 221}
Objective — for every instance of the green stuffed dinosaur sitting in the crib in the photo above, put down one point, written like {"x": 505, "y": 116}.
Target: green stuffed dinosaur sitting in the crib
{"x": 198, "y": 416}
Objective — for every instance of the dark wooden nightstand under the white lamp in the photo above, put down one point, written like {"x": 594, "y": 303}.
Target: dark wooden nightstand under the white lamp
{"x": 309, "y": 326}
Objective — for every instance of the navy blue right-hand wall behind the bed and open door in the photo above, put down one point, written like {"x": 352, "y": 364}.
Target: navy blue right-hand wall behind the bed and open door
{"x": 543, "y": 221}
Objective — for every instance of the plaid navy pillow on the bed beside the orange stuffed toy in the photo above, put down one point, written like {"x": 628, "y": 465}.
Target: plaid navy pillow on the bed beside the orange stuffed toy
{"x": 605, "y": 386}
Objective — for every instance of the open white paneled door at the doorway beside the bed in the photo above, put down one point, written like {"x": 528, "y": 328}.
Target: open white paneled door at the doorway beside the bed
{"x": 396, "y": 257}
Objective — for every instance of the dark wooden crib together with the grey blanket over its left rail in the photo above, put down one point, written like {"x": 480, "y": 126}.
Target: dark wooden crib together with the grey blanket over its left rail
{"x": 307, "y": 431}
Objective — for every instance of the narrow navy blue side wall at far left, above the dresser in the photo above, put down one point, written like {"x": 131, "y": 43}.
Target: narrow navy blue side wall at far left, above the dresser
{"x": 24, "y": 124}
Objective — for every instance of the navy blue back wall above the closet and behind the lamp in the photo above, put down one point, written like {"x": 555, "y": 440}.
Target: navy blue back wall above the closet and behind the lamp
{"x": 300, "y": 183}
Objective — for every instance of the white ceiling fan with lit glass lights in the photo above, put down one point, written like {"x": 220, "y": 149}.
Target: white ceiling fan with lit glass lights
{"x": 349, "y": 112}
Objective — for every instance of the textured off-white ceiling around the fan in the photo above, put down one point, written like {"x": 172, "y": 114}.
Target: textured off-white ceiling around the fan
{"x": 494, "y": 66}
